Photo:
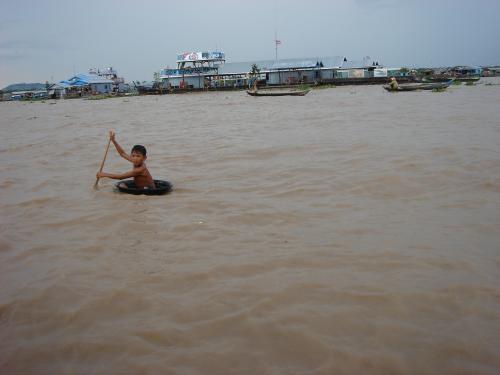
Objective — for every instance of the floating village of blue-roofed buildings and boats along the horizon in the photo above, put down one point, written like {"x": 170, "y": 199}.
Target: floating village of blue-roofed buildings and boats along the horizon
{"x": 208, "y": 71}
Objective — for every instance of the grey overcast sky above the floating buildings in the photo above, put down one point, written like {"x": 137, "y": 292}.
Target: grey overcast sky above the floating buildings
{"x": 50, "y": 40}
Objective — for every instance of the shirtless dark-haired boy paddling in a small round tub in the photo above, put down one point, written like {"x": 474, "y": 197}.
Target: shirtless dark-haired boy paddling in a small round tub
{"x": 140, "y": 173}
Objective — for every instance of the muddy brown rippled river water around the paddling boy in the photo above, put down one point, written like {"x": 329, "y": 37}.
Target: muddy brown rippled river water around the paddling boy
{"x": 350, "y": 231}
